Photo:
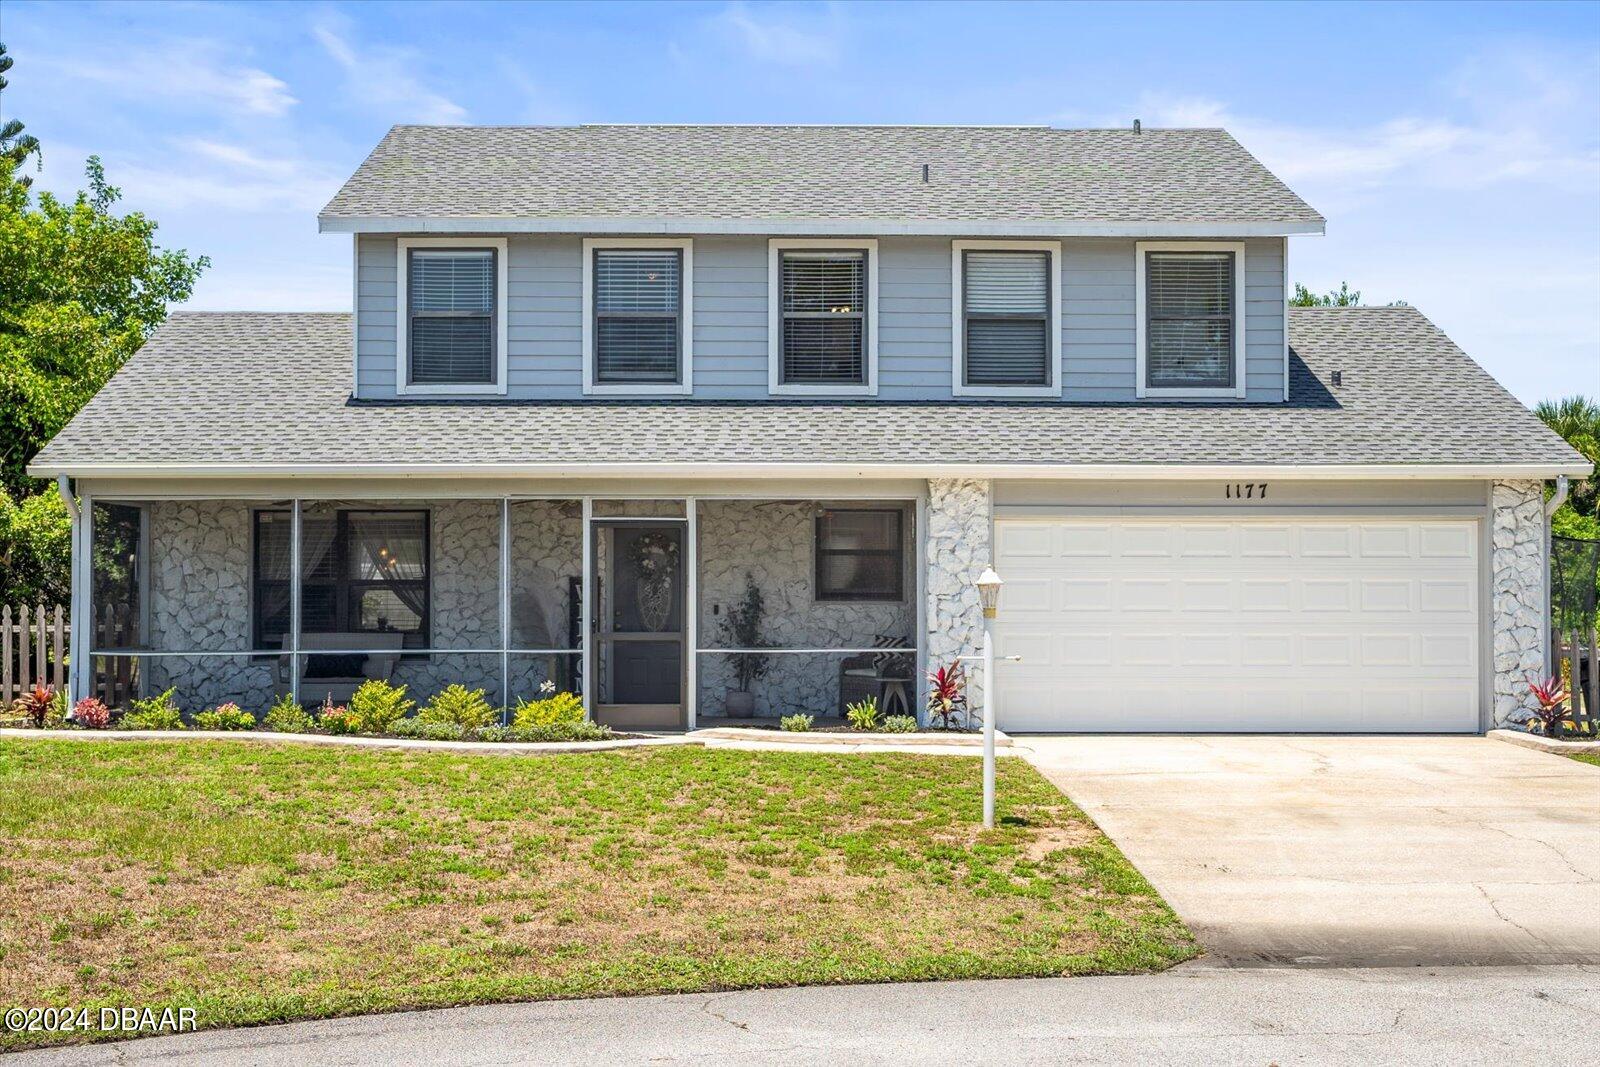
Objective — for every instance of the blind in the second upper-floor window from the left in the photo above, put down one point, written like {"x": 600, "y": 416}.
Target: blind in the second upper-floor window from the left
{"x": 638, "y": 314}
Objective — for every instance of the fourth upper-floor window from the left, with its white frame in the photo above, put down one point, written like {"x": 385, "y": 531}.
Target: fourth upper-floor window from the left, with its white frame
{"x": 1006, "y": 319}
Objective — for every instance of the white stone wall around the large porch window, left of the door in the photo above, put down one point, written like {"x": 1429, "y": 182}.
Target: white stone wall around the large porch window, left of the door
{"x": 201, "y": 596}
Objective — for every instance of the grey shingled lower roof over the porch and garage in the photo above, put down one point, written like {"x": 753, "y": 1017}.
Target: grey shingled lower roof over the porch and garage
{"x": 270, "y": 394}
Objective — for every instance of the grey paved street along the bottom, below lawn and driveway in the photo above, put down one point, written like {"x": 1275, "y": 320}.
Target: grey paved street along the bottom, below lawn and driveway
{"x": 1185, "y": 1017}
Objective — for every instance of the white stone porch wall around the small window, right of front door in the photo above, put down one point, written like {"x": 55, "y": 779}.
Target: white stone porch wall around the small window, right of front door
{"x": 774, "y": 543}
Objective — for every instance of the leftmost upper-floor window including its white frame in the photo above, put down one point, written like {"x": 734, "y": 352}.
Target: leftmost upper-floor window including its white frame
{"x": 452, "y": 316}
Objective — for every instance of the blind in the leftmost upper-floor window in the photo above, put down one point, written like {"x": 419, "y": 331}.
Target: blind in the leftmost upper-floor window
{"x": 452, "y": 316}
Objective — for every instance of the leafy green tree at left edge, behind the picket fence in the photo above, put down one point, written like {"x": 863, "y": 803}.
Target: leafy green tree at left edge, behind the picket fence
{"x": 81, "y": 290}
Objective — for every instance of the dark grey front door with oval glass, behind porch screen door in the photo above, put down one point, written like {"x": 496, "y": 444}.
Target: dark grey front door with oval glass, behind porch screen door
{"x": 639, "y": 626}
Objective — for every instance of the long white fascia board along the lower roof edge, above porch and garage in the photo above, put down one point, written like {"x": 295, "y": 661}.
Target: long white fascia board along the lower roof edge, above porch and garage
{"x": 567, "y": 471}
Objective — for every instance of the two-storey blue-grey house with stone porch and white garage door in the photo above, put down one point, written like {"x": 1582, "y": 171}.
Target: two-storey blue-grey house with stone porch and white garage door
{"x": 607, "y": 386}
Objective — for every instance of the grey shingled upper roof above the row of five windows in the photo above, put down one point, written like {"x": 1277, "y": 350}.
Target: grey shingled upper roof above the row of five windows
{"x": 817, "y": 180}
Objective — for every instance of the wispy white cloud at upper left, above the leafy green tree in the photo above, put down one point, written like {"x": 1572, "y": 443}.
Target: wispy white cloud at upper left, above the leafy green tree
{"x": 193, "y": 73}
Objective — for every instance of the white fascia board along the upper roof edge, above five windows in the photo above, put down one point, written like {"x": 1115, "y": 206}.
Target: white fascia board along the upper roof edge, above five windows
{"x": 807, "y": 228}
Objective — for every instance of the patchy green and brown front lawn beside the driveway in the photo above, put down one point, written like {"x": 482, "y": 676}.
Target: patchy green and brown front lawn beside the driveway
{"x": 263, "y": 884}
